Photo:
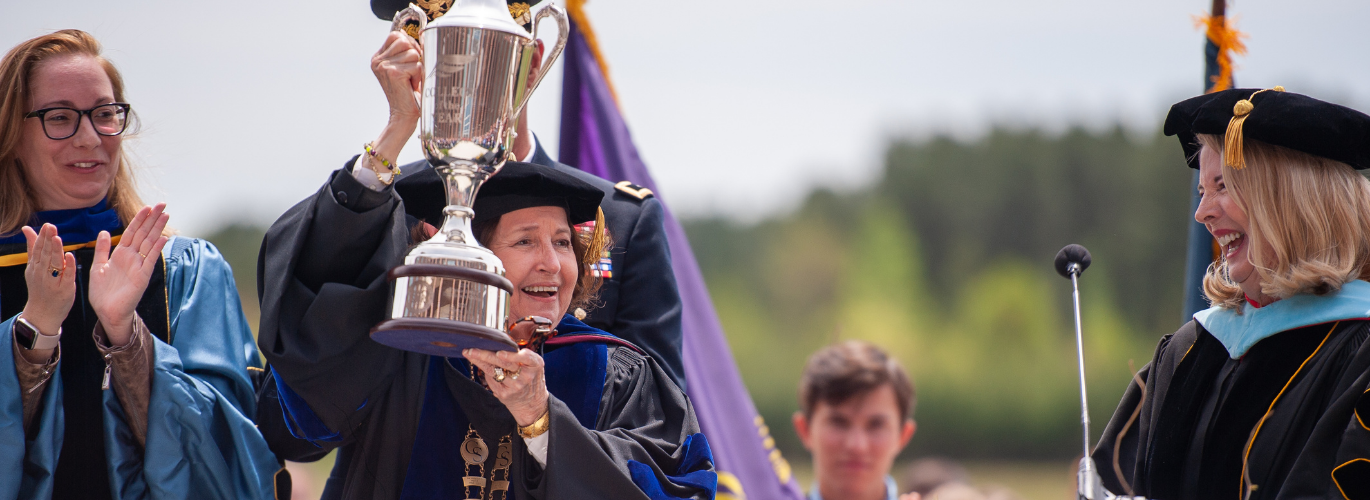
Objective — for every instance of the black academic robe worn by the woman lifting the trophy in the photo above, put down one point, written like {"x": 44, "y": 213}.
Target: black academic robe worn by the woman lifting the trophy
{"x": 323, "y": 286}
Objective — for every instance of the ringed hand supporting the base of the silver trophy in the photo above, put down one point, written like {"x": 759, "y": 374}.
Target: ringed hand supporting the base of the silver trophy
{"x": 524, "y": 386}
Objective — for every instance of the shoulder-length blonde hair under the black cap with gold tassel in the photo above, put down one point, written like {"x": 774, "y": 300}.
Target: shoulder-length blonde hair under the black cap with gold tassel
{"x": 1312, "y": 214}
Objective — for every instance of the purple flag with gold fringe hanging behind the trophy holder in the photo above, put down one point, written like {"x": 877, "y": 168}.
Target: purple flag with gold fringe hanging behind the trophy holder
{"x": 597, "y": 140}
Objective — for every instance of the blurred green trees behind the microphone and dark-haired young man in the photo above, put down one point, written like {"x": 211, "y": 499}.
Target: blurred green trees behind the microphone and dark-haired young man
{"x": 947, "y": 262}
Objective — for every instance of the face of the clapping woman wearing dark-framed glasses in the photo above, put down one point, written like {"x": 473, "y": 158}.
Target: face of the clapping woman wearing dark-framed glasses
{"x": 76, "y": 172}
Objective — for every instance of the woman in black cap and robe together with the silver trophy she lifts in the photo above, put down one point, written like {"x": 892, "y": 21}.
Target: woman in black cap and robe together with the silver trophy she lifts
{"x": 445, "y": 408}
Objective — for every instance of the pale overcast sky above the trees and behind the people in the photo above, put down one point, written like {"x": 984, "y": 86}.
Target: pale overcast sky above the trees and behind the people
{"x": 739, "y": 108}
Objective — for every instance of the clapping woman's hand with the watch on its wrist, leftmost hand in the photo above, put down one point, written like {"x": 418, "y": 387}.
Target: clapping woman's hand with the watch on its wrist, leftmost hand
{"x": 51, "y": 280}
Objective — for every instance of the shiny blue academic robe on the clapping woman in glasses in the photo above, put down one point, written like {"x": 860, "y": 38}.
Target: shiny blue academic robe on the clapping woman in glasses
{"x": 201, "y": 440}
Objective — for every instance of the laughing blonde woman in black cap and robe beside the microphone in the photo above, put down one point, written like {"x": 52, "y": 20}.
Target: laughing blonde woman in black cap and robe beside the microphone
{"x": 1264, "y": 395}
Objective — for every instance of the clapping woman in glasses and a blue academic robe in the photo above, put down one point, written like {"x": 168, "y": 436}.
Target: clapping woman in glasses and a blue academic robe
{"x": 131, "y": 357}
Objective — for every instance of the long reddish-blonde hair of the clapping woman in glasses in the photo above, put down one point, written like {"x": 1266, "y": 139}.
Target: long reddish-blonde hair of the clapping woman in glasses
{"x": 17, "y": 201}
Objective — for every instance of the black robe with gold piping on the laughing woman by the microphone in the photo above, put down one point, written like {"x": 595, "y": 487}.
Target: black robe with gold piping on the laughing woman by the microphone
{"x": 1190, "y": 438}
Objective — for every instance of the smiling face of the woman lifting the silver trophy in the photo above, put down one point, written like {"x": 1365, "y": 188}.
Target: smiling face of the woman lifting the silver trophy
{"x": 539, "y": 260}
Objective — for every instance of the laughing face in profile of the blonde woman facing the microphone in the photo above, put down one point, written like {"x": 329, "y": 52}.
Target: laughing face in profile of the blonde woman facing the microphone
{"x": 1228, "y": 224}
